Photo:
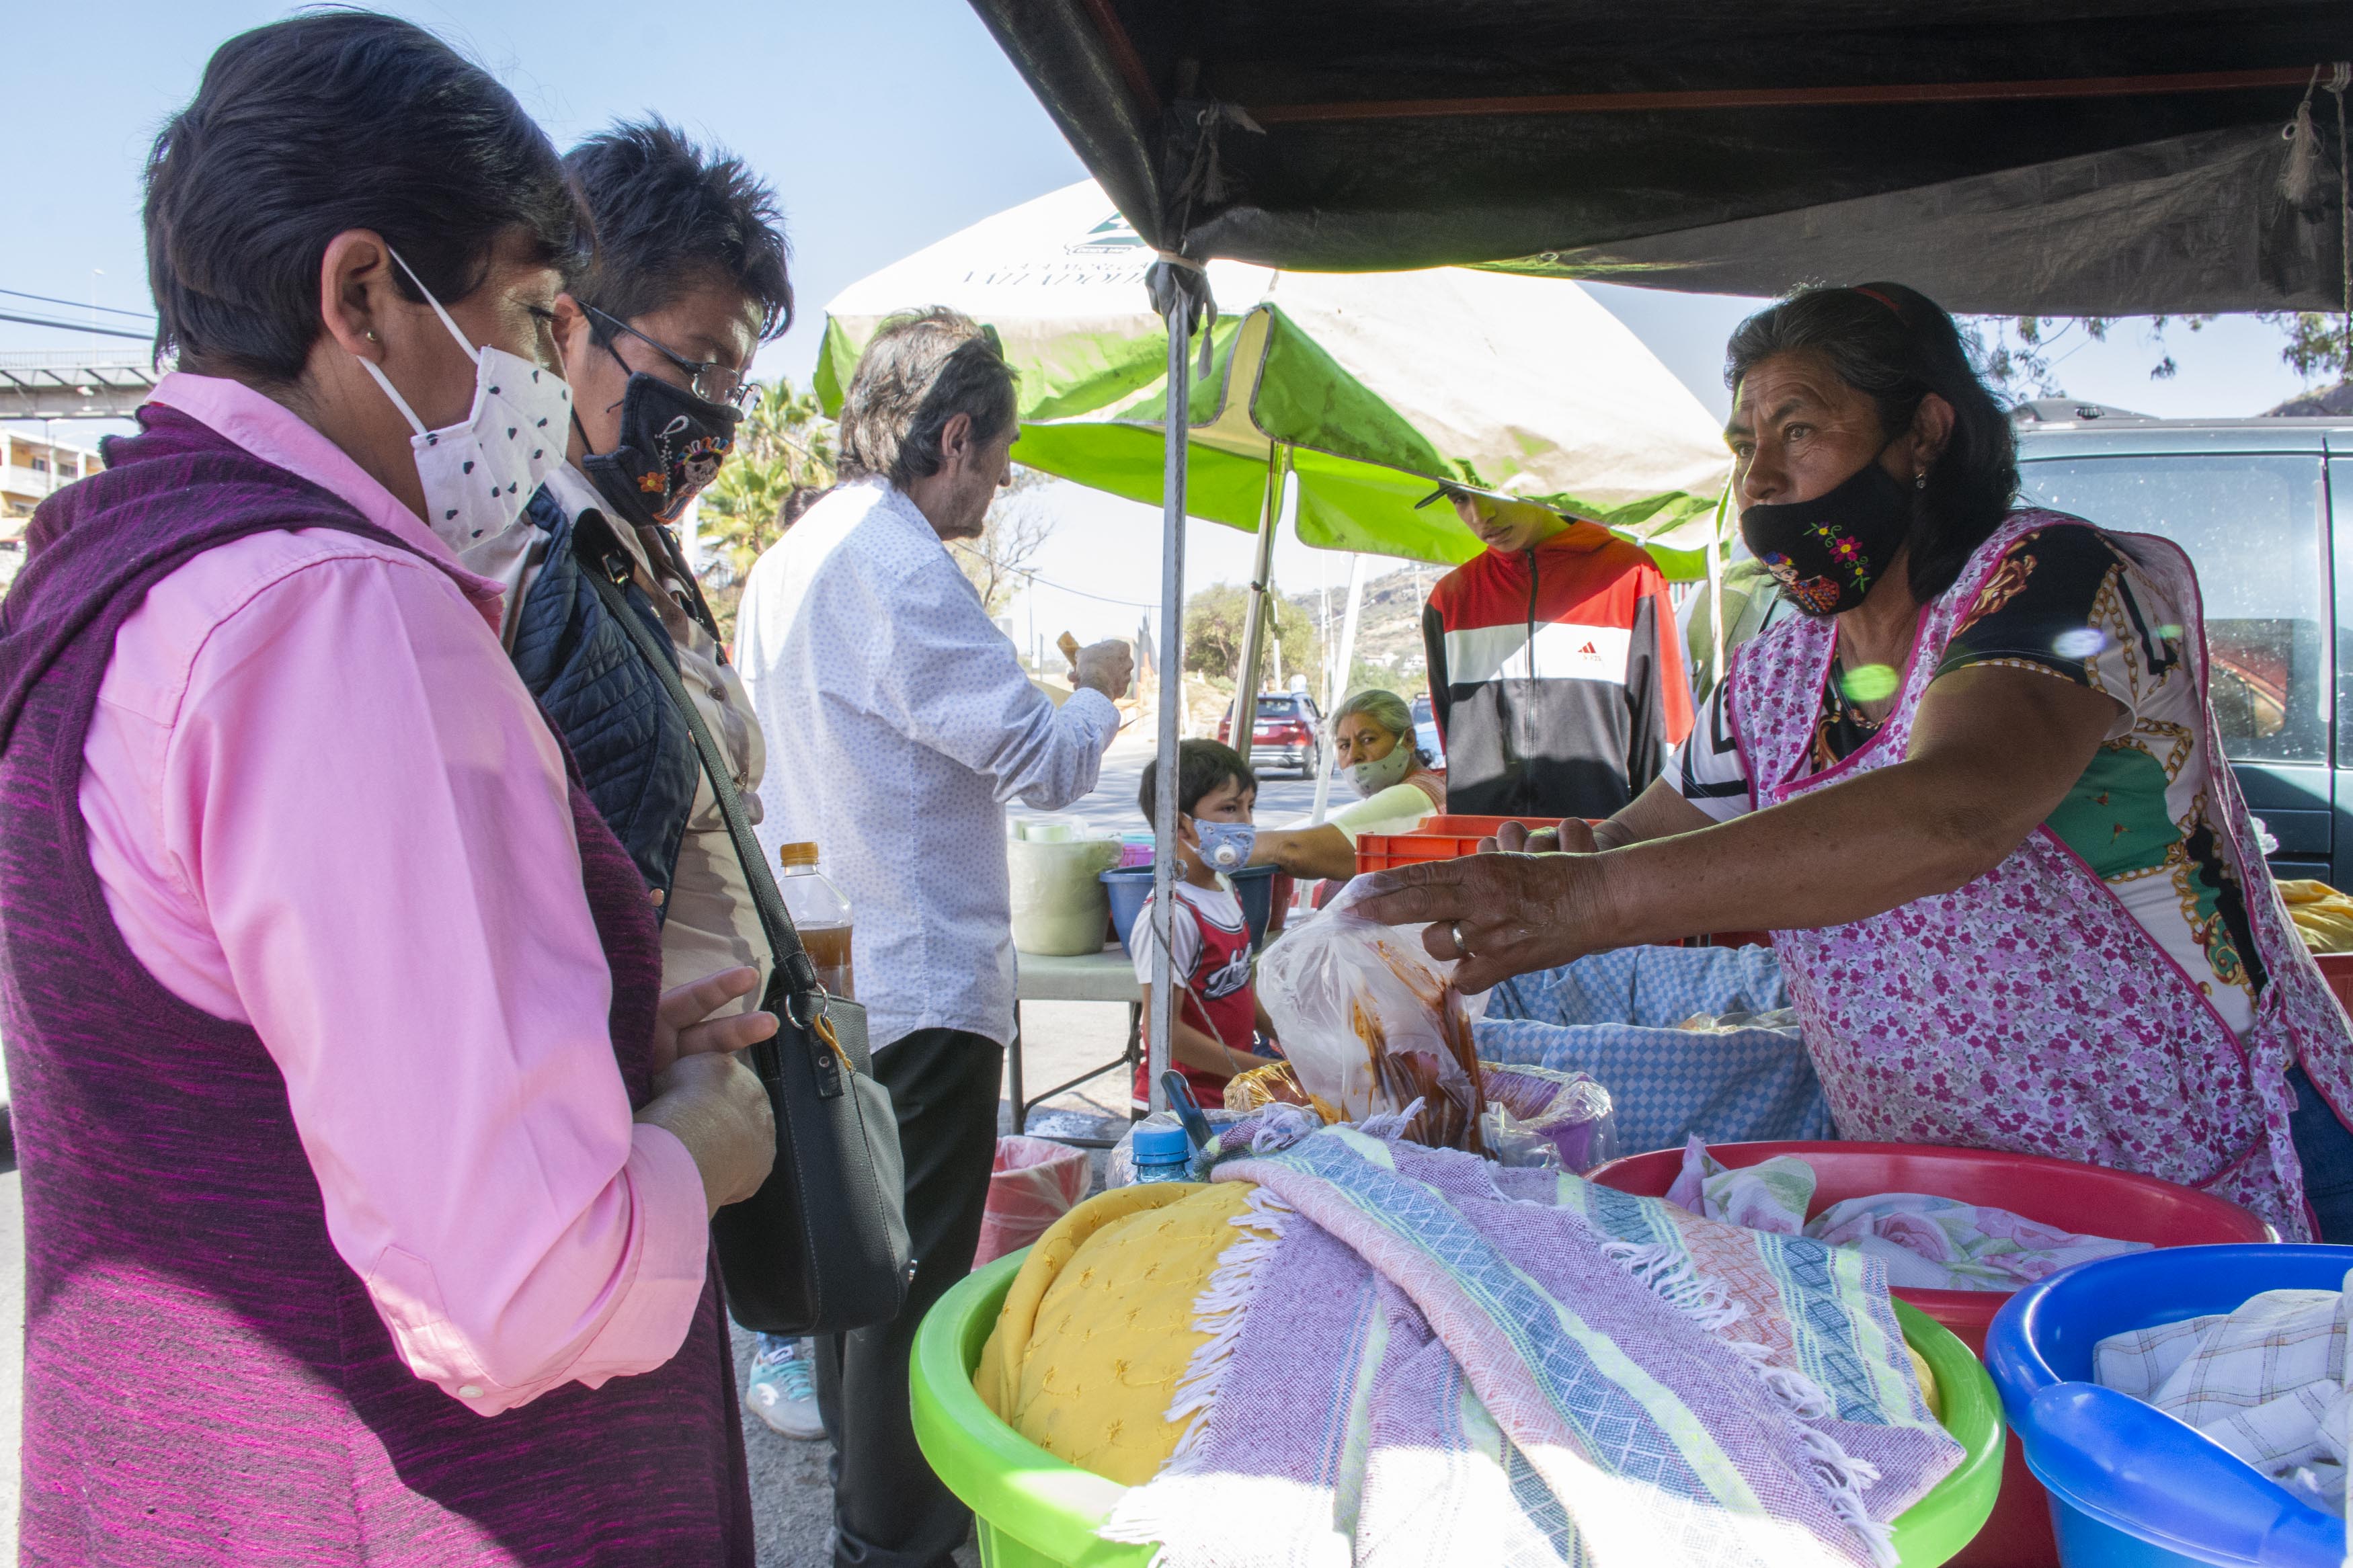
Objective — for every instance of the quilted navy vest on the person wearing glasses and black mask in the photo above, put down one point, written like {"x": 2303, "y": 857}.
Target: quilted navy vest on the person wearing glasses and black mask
{"x": 611, "y": 709}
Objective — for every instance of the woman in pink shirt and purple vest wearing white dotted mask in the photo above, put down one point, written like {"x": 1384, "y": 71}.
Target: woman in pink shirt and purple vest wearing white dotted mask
{"x": 366, "y": 1167}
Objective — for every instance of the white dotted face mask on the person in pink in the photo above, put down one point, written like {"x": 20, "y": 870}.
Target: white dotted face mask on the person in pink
{"x": 481, "y": 474}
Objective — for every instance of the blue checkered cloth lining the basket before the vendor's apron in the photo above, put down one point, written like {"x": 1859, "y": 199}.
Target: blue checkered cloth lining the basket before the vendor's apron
{"x": 1615, "y": 1017}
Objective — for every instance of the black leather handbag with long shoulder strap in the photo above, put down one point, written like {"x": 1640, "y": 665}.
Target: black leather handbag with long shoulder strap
{"x": 822, "y": 1247}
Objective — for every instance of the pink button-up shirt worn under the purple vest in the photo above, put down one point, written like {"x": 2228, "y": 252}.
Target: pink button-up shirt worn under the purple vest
{"x": 324, "y": 805}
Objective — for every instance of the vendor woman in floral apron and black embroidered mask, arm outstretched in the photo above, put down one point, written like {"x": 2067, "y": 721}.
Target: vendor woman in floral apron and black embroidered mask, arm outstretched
{"x": 1978, "y": 796}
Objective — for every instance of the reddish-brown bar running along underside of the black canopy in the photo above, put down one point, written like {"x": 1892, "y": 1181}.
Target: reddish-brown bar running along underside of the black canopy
{"x": 1785, "y": 98}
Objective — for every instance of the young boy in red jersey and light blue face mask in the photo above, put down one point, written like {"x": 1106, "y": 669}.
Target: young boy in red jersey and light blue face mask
{"x": 1218, "y": 1012}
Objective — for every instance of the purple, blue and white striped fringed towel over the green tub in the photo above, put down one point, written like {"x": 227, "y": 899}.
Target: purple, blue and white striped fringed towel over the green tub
{"x": 1420, "y": 1358}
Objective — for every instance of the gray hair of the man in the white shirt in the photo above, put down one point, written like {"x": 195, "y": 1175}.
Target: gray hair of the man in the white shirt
{"x": 924, "y": 370}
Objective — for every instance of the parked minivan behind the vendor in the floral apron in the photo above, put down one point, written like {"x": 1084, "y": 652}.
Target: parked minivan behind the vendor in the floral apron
{"x": 2265, "y": 511}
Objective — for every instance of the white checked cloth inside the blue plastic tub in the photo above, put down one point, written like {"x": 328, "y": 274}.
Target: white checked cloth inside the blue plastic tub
{"x": 2267, "y": 1383}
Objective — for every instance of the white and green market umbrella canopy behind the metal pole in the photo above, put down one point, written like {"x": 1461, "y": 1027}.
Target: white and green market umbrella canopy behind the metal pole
{"x": 1378, "y": 384}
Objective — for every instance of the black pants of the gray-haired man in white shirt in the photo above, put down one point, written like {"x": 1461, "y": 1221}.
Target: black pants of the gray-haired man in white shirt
{"x": 888, "y": 1506}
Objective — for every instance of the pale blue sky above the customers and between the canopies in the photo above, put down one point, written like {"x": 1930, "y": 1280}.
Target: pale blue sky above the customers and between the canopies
{"x": 884, "y": 126}
